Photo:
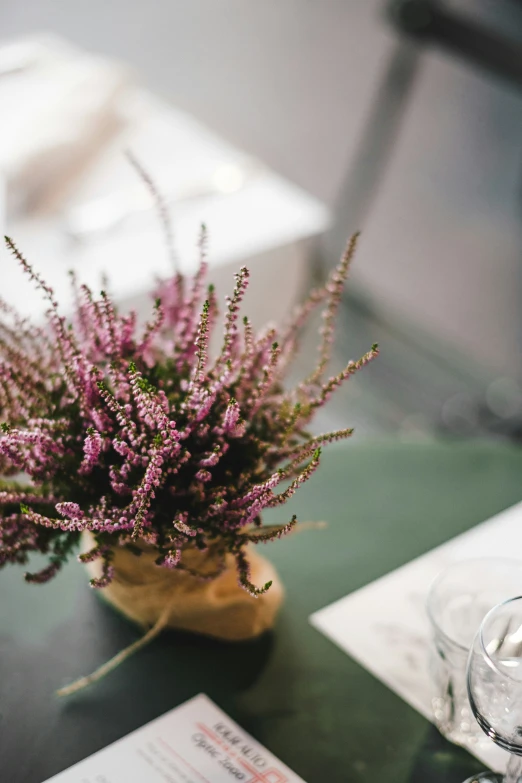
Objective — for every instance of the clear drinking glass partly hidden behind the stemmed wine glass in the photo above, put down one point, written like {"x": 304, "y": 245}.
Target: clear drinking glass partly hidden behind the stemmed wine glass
{"x": 458, "y": 600}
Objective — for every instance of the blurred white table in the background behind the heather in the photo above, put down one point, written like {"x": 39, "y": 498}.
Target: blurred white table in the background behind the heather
{"x": 253, "y": 216}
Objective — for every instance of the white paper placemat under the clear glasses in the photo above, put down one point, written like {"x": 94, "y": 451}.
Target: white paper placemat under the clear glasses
{"x": 384, "y": 625}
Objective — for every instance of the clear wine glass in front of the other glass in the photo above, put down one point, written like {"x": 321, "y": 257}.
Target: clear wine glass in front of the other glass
{"x": 494, "y": 679}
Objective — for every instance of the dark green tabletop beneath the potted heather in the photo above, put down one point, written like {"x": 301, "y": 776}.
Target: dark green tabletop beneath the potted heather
{"x": 302, "y": 697}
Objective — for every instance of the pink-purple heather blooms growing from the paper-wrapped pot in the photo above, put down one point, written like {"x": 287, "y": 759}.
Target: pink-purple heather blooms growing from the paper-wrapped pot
{"x": 139, "y": 434}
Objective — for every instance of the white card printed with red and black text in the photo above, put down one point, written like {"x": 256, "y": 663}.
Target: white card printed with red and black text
{"x": 193, "y": 743}
